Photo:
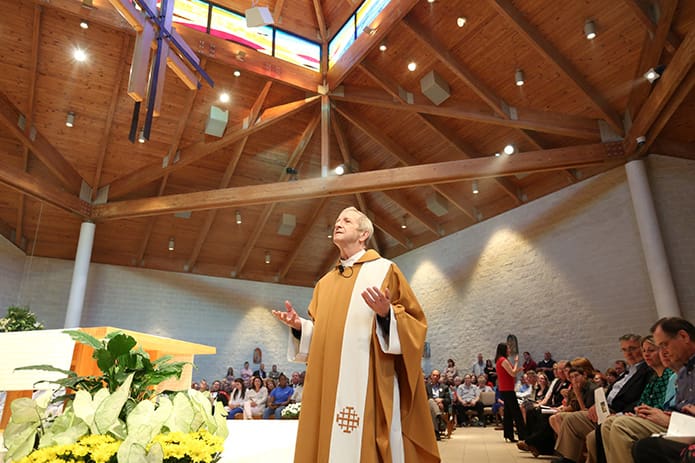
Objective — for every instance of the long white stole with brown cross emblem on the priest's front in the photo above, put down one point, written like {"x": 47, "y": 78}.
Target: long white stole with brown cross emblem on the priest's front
{"x": 348, "y": 422}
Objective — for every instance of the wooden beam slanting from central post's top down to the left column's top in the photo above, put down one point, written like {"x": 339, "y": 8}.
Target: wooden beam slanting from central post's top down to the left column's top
{"x": 198, "y": 151}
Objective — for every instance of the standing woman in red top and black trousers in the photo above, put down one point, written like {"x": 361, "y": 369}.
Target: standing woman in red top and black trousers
{"x": 506, "y": 377}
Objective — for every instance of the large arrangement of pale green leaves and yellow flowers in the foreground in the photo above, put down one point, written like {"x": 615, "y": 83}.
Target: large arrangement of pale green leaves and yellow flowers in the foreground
{"x": 117, "y": 417}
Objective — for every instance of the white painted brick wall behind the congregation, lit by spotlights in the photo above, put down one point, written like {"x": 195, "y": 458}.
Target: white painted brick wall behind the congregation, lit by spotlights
{"x": 563, "y": 273}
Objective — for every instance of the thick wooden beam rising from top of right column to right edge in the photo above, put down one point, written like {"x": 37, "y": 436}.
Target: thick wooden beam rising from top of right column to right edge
{"x": 663, "y": 90}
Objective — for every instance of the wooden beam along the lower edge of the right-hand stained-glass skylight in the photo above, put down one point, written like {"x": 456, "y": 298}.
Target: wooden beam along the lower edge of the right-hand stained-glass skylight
{"x": 389, "y": 17}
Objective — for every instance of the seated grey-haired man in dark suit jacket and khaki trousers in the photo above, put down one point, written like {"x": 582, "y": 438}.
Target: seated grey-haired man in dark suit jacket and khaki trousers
{"x": 579, "y": 428}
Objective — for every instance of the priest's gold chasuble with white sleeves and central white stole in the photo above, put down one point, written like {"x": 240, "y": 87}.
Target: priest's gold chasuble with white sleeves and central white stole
{"x": 331, "y": 342}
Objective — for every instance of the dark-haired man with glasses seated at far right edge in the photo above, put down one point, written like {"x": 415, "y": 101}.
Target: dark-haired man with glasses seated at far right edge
{"x": 676, "y": 339}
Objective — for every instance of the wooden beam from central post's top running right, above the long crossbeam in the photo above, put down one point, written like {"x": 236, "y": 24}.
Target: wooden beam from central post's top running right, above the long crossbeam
{"x": 540, "y": 121}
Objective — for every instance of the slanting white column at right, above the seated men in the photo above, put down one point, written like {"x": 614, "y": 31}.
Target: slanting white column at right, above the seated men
{"x": 652, "y": 243}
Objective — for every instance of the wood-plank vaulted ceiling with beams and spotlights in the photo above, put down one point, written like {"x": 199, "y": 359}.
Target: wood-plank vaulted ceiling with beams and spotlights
{"x": 582, "y": 107}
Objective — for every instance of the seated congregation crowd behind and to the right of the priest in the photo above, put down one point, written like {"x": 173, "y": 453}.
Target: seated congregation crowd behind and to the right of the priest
{"x": 554, "y": 412}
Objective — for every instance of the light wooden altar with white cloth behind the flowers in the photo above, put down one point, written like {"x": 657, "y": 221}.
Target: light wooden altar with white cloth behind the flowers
{"x": 53, "y": 347}
